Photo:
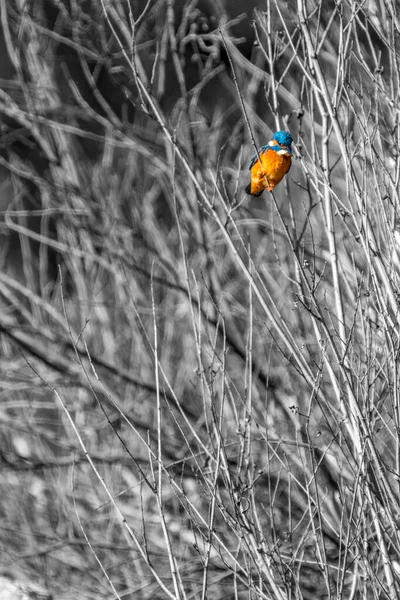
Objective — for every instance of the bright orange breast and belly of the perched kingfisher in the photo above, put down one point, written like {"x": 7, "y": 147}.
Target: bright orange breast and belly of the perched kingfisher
{"x": 270, "y": 172}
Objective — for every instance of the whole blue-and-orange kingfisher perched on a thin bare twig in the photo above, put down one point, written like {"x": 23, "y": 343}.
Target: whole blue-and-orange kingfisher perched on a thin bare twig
{"x": 274, "y": 162}
